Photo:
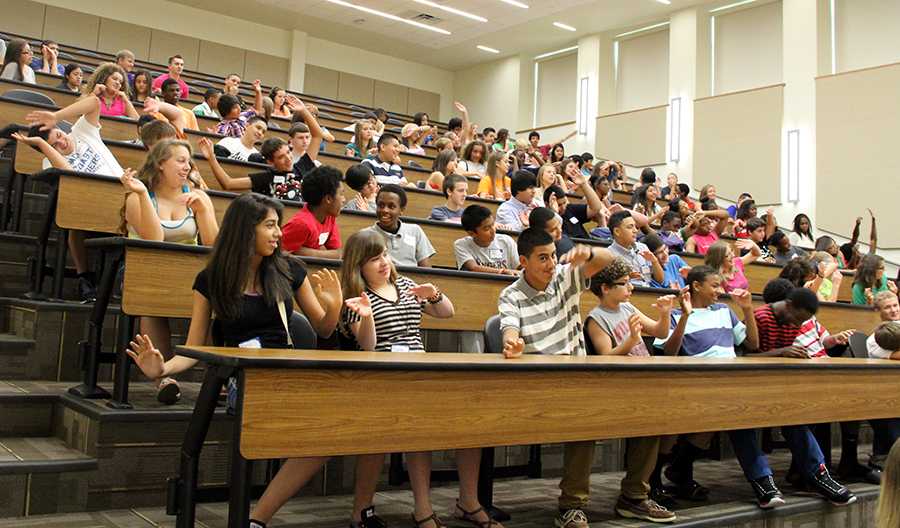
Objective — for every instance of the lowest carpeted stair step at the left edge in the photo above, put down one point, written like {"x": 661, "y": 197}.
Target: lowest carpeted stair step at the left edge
{"x": 21, "y": 455}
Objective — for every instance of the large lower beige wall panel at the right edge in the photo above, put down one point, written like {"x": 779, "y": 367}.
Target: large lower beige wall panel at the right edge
{"x": 857, "y": 126}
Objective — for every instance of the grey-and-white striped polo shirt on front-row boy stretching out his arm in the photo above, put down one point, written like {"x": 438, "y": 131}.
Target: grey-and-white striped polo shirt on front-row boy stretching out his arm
{"x": 549, "y": 321}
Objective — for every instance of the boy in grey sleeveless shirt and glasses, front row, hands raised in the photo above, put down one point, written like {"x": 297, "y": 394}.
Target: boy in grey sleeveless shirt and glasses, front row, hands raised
{"x": 614, "y": 327}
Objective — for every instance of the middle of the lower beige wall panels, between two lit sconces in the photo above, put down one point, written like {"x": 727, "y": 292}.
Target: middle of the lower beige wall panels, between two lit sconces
{"x": 737, "y": 143}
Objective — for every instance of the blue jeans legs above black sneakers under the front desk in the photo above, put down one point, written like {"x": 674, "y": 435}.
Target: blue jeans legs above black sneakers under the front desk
{"x": 753, "y": 461}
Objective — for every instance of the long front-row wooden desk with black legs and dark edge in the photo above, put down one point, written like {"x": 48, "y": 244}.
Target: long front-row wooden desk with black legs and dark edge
{"x": 518, "y": 402}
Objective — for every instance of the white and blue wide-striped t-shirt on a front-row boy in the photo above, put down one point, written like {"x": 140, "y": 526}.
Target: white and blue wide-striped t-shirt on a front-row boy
{"x": 711, "y": 332}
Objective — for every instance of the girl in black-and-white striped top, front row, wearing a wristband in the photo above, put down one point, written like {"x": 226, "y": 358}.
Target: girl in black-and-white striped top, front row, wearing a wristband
{"x": 370, "y": 281}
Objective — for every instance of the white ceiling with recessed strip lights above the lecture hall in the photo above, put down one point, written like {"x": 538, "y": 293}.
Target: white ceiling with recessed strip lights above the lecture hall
{"x": 510, "y": 29}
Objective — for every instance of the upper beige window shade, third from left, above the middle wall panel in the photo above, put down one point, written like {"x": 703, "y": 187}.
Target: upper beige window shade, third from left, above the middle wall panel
{"x": 749, "y": 48}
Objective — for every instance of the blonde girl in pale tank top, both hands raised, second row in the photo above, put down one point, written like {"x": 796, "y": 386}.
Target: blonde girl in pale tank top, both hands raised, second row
{"x": 160, "y": 205}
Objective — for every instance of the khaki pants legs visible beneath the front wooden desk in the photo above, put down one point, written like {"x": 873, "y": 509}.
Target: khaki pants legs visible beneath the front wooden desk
{"x": 640, "y": 459}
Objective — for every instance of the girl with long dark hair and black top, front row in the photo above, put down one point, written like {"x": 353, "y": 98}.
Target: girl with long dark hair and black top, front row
{"x": 248, "y": 283}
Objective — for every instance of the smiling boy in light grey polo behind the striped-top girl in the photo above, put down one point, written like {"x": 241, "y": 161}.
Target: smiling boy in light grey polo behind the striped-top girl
{"x": 406, "y": 243}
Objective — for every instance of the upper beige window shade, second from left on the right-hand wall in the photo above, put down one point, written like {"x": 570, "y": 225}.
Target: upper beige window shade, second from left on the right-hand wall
{"x": 643, "y": 77}
